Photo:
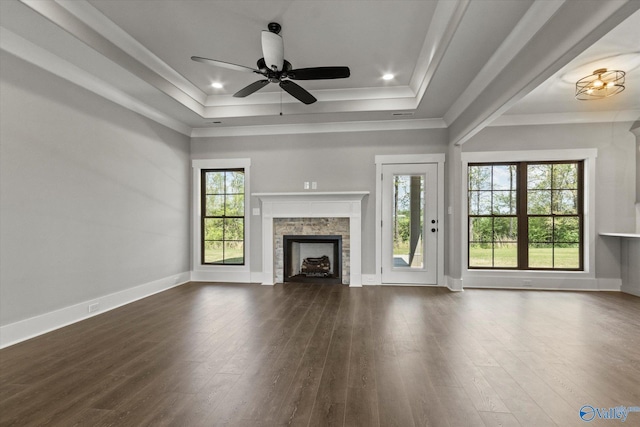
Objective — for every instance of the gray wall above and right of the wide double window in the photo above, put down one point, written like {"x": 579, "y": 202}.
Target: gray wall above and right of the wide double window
{"x": 615, "y": 173}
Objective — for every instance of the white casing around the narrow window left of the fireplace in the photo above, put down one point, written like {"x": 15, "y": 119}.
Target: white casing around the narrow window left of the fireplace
{"x": 213, "y": 272}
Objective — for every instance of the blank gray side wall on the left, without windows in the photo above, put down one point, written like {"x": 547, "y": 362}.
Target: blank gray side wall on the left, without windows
{"x": 95, "y": 199}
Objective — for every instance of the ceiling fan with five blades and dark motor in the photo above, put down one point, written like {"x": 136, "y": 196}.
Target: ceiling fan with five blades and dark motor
{"x": 276, "y": 69}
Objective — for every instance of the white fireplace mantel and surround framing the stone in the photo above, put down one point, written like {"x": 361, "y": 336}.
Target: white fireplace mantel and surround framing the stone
{"x": 312, "y": 204}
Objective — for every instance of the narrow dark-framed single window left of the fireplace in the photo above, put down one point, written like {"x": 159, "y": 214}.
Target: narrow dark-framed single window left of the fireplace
{"x": 223, "y": 212}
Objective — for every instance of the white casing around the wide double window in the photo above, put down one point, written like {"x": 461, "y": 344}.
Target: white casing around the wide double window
{"x": 520, "y": 278}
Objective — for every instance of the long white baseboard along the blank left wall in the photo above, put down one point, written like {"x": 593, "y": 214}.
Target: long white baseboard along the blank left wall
{"x": 22, "y": 330}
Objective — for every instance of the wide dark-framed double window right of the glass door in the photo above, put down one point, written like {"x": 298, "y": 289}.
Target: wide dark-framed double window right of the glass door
{"x": 526, "y": 215}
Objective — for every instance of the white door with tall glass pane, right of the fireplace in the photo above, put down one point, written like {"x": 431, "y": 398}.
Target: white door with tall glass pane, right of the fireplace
{"x": 409, "y": 223}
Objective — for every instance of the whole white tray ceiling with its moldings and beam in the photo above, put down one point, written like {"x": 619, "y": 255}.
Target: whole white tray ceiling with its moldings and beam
{"x": 461, "y": 64}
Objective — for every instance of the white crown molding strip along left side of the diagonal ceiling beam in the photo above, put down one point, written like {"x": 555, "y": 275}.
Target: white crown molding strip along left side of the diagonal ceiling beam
{"x": 533, "y": 20}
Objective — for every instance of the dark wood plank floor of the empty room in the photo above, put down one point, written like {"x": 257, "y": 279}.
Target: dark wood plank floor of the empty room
{"x": 304, "y": 354}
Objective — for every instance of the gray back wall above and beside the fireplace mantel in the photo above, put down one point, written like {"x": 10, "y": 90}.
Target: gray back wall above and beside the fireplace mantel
{"x": 336, "y": 161}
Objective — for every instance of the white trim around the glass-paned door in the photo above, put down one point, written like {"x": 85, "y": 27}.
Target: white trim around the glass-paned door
{"x": 380, "y": 160}
